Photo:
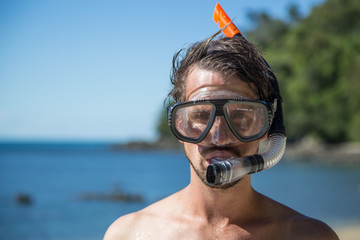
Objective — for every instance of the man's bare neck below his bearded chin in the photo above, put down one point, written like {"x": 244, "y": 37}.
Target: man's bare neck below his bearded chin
{"x": 216, "y": 205}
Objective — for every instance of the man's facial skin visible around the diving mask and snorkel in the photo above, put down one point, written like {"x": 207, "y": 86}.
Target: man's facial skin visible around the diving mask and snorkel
{"x": 220, "y": 142}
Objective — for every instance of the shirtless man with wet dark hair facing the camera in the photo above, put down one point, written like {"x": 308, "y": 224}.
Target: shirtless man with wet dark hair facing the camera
{"x": 218, "y": 69}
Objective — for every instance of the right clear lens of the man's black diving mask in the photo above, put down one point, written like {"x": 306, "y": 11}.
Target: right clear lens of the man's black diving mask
{"x": 247, "y": 119}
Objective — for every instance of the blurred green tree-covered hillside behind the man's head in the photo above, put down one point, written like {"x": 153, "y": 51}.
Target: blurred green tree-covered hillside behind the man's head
{"x": 317, "y": 62}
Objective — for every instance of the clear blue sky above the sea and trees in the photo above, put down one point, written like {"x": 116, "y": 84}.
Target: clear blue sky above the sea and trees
{"x": 86, "y": 70}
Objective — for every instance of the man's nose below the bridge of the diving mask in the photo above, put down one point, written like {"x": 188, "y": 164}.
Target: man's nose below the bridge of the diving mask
{"x": 220, "y": 134}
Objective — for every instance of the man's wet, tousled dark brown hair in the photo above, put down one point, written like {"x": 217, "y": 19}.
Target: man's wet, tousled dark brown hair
{"x": 227, "y": 56}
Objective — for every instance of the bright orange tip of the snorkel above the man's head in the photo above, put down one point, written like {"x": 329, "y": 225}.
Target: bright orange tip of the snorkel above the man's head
{"x": 221, "y": 18}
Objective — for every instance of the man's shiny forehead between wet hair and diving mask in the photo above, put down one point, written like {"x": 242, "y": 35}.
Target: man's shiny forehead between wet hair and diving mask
{"x": 200, "y": 80}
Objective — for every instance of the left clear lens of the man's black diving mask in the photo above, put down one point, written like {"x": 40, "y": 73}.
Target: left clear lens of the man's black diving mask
{"x": 192, "y": 121}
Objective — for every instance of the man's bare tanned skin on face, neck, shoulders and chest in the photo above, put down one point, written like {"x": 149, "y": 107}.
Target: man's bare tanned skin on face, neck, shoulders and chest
{"x": 233, "y": 212}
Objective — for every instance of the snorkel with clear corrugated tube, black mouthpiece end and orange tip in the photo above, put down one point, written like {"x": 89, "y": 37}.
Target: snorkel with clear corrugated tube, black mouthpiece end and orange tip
{"x": 221, "y": 172}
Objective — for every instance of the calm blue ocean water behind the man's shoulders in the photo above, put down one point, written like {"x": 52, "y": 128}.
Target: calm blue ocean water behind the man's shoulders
{"x": 61, "y": 191}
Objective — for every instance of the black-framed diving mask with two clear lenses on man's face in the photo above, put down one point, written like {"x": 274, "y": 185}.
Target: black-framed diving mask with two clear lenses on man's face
{"x": 247, "y": 119}
